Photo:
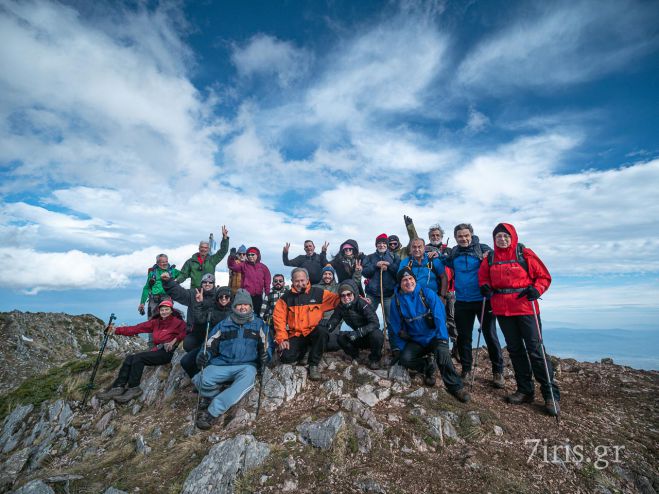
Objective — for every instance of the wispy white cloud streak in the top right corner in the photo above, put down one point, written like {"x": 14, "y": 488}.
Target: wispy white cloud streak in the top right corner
{"x": 562, "y": 44}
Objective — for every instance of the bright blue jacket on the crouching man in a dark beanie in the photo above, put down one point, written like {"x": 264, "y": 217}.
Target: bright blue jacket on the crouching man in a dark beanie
{"x": 410, "y": 317}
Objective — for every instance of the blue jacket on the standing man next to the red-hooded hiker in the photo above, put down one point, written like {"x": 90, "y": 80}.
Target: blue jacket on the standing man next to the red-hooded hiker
{"x": 465, "y": 263}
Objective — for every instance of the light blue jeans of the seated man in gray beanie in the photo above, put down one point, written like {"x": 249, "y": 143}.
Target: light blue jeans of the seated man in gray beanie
{"x": 207, "y": 382}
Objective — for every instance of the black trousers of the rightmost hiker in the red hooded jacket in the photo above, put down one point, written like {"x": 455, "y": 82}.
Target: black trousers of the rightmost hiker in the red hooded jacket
{"x": 526, "y": 355}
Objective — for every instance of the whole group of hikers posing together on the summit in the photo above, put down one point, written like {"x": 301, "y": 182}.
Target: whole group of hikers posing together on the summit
{"x": 429, "y": 294}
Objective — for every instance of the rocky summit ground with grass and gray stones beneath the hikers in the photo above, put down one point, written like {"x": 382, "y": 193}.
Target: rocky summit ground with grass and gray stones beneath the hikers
{"x": 355, "y": 431}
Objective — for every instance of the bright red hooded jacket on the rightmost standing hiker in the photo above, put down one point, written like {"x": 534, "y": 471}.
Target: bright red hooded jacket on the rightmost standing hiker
{"x": 513, "y": 275}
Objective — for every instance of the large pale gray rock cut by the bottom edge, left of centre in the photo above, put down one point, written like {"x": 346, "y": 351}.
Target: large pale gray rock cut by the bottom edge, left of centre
{"x": 216, "y": 474}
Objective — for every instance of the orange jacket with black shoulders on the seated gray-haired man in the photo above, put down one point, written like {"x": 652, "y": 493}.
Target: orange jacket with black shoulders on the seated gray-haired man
{"x": 298, "y": 314}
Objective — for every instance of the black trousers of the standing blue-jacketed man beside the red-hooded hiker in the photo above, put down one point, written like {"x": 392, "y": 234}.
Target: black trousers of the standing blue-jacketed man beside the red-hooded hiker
{"x": 465, "y": 314}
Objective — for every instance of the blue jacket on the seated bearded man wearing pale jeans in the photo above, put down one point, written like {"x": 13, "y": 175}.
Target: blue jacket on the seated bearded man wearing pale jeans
{"x": 233, "y": 344}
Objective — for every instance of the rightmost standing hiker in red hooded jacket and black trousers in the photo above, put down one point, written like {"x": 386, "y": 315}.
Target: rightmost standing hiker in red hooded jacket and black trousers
{"x": 515, "y": 277}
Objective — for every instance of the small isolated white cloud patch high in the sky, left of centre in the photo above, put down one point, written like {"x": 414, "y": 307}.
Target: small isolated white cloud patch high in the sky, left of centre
{"x": 267, "y": 55}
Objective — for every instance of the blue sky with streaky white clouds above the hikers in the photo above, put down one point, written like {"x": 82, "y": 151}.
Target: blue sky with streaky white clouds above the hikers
{"x": 128, "y": 129}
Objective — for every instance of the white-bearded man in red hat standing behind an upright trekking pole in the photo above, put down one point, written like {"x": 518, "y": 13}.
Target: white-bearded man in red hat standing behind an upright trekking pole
{"x": 381, "y": 265}
